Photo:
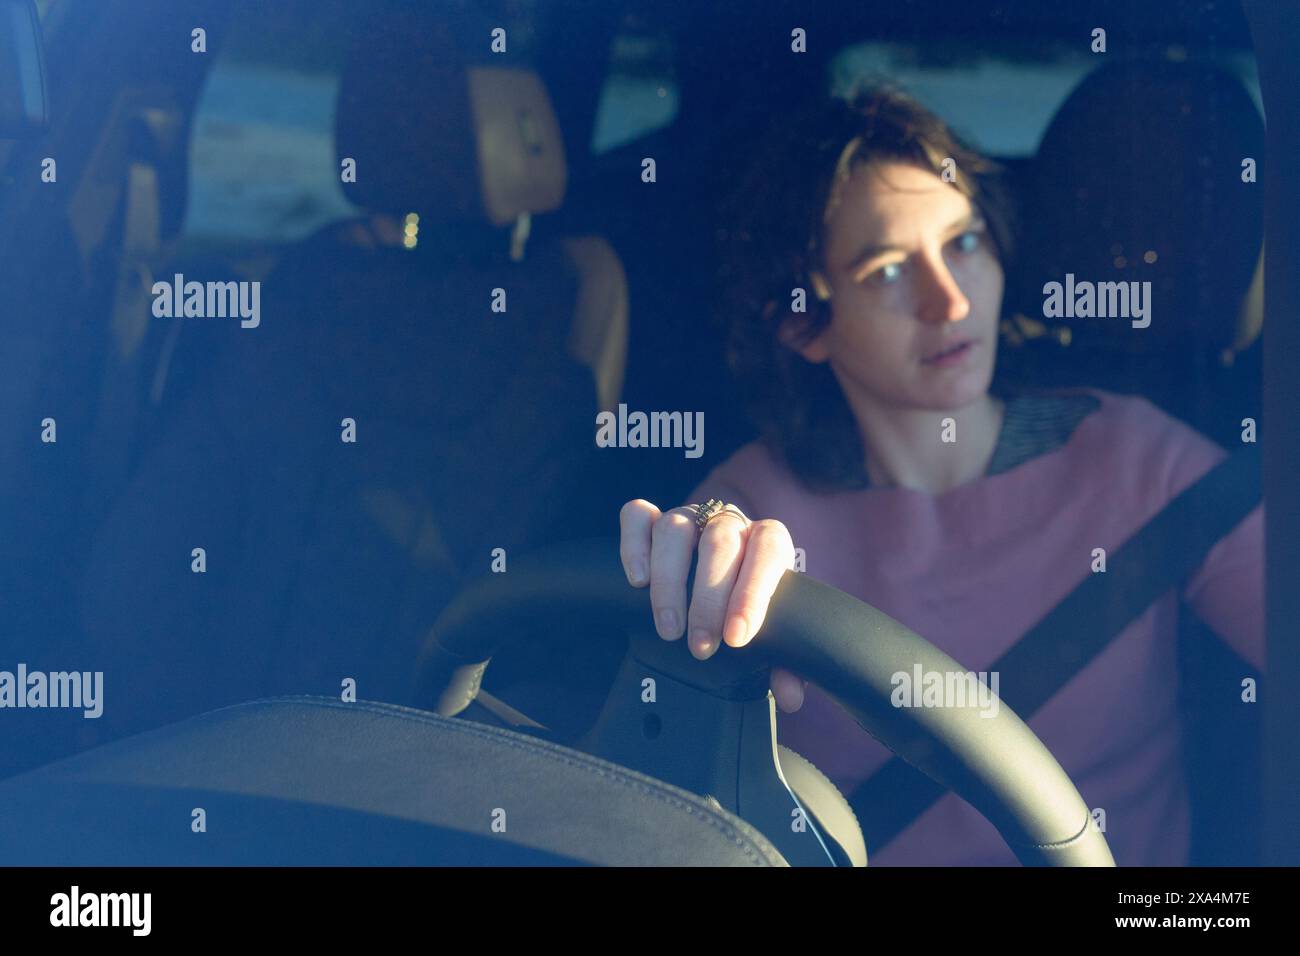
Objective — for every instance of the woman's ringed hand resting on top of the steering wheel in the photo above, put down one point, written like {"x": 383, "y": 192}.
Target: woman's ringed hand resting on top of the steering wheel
{"x": 740, "y": 566}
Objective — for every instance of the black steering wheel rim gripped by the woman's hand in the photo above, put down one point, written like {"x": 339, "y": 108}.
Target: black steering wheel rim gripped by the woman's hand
{"x": 844, "y": 646}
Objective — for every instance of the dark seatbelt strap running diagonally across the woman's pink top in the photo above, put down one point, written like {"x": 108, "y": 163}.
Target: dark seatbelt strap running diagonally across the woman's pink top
{"x": 1169, "y": 548}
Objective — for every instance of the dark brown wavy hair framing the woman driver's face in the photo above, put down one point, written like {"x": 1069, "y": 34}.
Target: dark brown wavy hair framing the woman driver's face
{"x": 775, "y": 244}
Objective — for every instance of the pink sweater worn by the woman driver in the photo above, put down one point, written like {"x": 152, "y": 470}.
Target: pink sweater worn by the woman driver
{"x": 974, "y": 569}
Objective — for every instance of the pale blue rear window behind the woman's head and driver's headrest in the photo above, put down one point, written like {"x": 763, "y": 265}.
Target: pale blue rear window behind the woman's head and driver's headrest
{"x": 1000, "y": 98}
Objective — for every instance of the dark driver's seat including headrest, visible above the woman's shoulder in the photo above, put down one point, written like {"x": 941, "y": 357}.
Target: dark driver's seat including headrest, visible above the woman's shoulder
{"x": 1162, "y": 175}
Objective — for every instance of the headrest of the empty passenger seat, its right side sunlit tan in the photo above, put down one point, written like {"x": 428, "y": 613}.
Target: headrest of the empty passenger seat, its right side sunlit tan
{"x": 437, "y": 135}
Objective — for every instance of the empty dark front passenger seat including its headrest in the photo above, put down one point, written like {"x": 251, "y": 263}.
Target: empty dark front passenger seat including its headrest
{"x": 328, "y": 560}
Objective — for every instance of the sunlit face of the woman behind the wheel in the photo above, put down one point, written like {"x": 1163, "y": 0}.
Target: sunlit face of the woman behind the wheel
{"x": 912, "y": 271}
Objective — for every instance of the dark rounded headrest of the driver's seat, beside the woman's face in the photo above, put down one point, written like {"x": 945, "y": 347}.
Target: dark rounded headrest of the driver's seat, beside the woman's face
{"x": 1145, "y": 162}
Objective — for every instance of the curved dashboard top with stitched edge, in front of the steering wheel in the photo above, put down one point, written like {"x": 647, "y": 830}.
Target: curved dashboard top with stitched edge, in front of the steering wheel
{"x": 317, "y": 782}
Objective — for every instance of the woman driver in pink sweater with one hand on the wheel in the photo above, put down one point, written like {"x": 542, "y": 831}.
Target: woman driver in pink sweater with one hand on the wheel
{"x": 964, "y": 514}
